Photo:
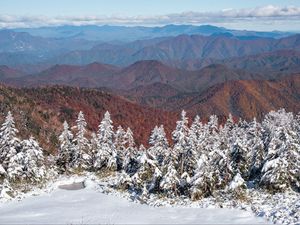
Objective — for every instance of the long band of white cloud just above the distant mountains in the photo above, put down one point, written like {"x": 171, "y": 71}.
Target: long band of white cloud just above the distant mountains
{"x": 262, "y": 14}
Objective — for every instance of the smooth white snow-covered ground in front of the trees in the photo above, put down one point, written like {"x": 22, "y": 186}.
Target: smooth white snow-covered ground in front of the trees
{"x": 90, "y": 205}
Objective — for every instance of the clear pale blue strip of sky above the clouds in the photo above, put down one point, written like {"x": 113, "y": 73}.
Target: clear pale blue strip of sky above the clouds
{"x": 128, "y": 7}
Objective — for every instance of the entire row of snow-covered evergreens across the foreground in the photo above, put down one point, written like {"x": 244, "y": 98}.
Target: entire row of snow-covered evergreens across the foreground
{"x": 204, "y": 158}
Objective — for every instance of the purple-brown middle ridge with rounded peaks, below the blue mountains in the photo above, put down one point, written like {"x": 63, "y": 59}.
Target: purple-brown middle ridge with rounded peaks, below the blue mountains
{"x": 141, "y": 73}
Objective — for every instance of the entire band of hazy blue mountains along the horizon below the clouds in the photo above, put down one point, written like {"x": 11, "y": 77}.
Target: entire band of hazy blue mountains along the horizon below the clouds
{"x": 188, "y": 44}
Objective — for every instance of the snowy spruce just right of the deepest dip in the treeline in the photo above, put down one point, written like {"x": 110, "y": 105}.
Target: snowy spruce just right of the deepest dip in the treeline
{"x": 159, "y": 144}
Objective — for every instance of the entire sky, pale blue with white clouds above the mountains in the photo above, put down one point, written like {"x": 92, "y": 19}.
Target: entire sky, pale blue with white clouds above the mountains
{"x": 239, "y": 14}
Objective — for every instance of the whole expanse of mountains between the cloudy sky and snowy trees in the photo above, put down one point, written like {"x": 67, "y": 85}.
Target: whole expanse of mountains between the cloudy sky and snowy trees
{"x": 156, "y": 71}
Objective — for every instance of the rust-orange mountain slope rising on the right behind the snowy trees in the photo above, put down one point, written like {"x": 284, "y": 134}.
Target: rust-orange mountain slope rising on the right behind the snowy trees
{"x": 242, "y": 98}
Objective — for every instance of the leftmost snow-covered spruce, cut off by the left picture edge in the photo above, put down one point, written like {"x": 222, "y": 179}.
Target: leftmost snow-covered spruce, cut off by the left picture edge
{"x": 9, "y": 143}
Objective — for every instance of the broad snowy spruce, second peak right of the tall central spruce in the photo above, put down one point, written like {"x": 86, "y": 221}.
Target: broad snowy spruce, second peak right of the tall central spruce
{"x": 214, "y": 153}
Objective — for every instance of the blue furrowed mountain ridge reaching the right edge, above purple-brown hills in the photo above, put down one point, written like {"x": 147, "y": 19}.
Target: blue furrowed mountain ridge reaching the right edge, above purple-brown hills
{"x": 179, "y": 49}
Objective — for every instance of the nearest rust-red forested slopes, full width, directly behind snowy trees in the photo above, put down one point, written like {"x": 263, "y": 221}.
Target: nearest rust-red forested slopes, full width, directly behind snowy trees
{"x": 41, "y": 111}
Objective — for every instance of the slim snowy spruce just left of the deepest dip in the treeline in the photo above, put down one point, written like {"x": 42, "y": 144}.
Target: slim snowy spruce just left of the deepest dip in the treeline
{"x": 130, "y": 164}
